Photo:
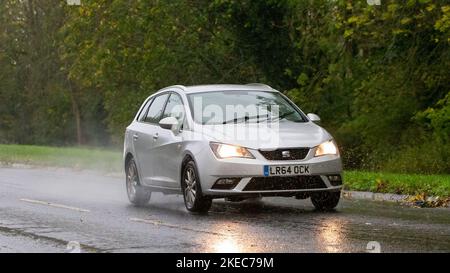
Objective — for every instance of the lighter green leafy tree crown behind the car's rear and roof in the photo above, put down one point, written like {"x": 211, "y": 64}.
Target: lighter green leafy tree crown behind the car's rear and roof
{"x": 126, "y": 50}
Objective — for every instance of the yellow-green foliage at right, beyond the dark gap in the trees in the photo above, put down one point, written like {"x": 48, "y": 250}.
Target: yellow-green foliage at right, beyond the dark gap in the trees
{"x": 389, "y": 64}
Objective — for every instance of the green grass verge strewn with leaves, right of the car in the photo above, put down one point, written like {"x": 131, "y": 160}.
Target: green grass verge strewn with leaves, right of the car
{"x": 412, "y": 184}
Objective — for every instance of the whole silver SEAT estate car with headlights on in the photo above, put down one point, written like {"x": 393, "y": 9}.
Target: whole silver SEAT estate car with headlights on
{"x": 229, "y": 141}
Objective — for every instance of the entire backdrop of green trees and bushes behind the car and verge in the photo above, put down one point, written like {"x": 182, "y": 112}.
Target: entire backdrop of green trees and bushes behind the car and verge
{"x": 377, "y": 75}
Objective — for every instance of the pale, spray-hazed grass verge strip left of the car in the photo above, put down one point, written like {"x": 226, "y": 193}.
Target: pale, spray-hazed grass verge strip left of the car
{"x": 78, "y": 158}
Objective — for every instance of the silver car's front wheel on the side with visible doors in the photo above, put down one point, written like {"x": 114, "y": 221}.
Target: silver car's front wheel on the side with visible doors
{"x": 194, "y": 200}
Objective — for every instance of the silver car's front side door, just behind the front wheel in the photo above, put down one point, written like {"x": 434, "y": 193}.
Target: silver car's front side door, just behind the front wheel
{"x": 167, "y": 146}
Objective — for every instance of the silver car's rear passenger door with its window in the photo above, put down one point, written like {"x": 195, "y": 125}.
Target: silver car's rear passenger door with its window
{"x": 144, "y": 138}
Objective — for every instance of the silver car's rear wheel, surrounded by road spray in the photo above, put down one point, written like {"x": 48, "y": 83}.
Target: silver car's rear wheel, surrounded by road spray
{"x": 137, "y": 194}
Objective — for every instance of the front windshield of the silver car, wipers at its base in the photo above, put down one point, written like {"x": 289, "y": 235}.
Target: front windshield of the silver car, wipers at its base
{"x": 224, "y": 107}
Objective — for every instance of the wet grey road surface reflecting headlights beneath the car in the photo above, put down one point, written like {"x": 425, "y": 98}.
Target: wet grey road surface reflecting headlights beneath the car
{"x": 41, "y": 210}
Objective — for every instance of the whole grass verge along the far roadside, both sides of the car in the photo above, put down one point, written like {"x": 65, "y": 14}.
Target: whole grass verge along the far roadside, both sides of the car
{"x": 111, "y": 161}
